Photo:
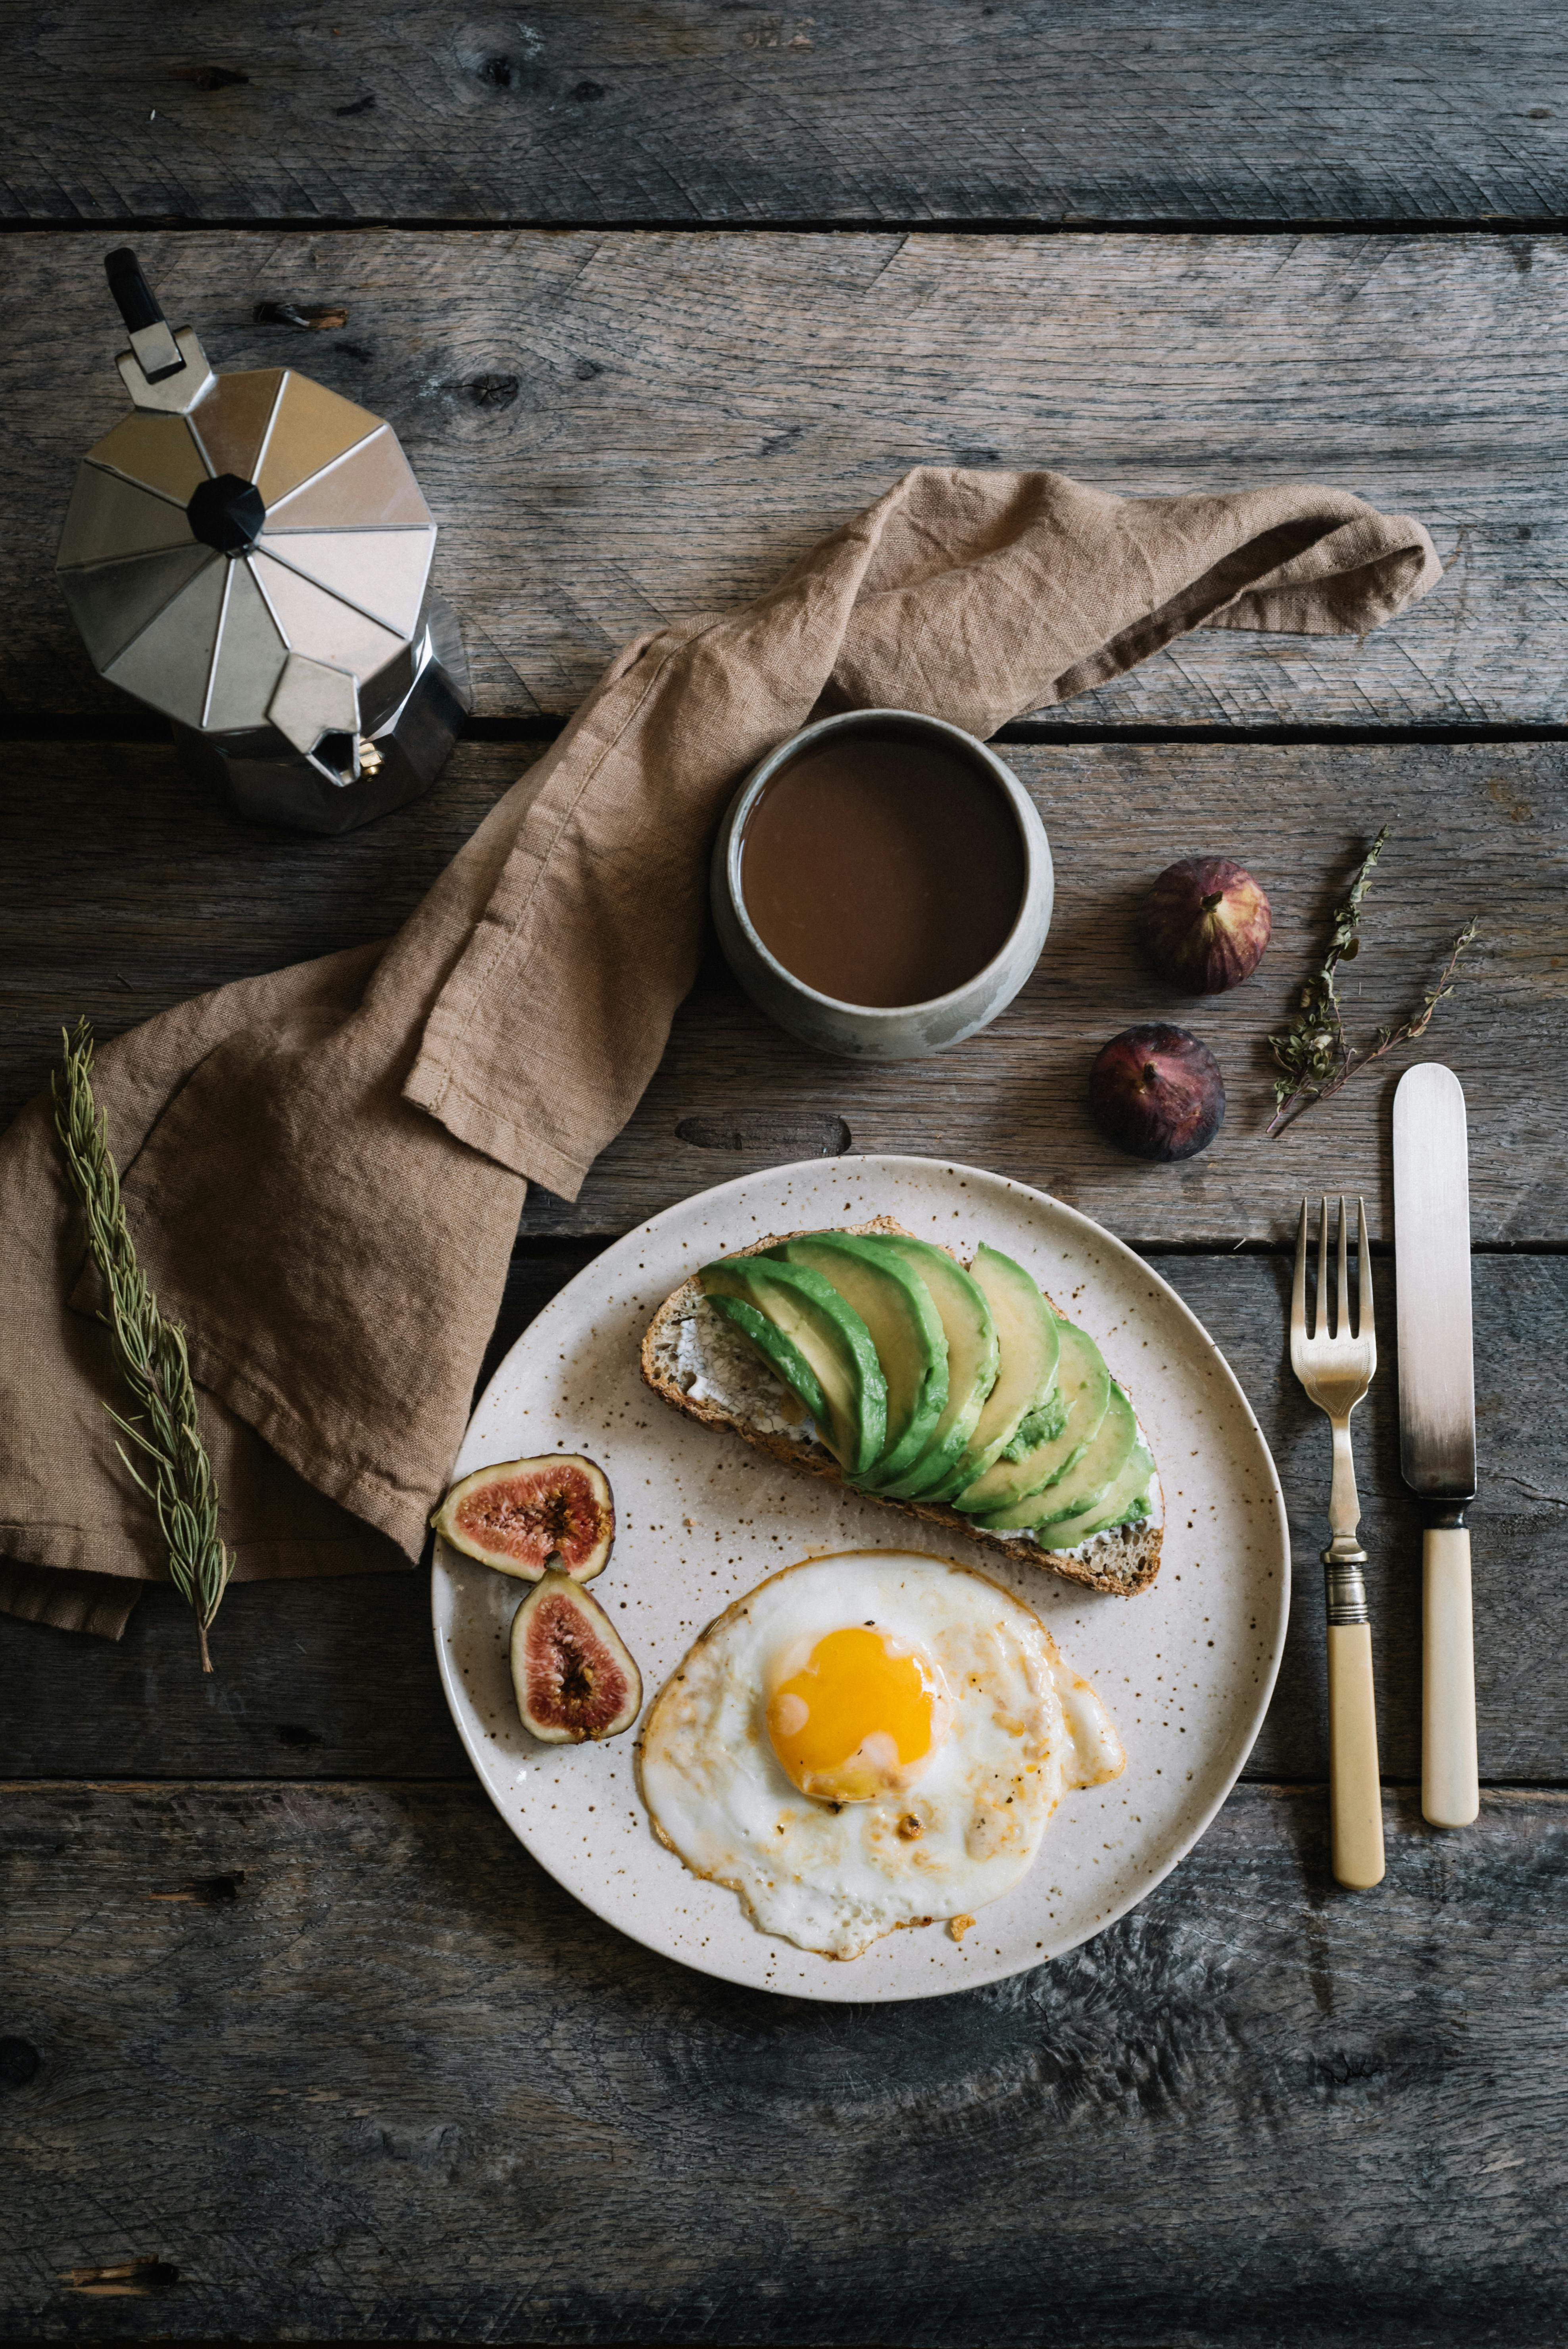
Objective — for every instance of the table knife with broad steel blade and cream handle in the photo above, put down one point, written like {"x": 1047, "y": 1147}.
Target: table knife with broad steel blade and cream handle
{"x": 1438, "y": 1420}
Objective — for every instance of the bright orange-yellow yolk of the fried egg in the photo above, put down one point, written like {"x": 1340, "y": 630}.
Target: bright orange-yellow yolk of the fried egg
{"x": 860, "y": 1718}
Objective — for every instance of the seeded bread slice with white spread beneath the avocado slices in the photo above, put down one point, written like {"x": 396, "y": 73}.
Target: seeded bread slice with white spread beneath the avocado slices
{"x": 1123, "y": 1561}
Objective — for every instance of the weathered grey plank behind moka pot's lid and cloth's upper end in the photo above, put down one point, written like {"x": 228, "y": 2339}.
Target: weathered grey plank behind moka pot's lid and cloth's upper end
{"x": 619, "y": 429}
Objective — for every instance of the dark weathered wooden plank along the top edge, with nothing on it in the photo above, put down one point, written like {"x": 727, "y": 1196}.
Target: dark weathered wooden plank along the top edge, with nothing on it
{"x": 705, "y": 112}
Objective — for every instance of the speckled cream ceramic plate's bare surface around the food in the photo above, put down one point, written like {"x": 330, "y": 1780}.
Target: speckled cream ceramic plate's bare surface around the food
{"x": 1187, "y": 1669}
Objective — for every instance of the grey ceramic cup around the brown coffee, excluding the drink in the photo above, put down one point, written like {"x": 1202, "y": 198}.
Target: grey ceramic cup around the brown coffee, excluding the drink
{"x": 903, "y": 1030}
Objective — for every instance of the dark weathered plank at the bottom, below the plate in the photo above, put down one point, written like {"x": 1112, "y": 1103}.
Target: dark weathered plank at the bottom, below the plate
{"x": 344, "y": 2064}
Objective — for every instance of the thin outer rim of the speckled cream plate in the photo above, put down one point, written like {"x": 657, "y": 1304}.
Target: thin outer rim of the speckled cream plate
{"x": 1266, "y": 1690}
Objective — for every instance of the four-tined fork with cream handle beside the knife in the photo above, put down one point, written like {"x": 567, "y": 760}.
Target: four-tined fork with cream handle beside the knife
{"x": 1337, "y": 1371}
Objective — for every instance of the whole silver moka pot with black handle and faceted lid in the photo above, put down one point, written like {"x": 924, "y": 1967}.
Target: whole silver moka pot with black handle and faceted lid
{"x": 250, "y": 556}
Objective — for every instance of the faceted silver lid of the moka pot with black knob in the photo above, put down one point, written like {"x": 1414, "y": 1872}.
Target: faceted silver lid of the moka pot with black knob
{"x": 245, "y": 548}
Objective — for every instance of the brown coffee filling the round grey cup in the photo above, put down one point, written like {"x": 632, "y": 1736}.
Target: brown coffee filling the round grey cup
{"x": 884, "y": 870}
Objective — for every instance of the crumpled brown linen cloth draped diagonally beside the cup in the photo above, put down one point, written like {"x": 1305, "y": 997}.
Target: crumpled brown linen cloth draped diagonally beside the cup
{"x": 325, "y": 1166}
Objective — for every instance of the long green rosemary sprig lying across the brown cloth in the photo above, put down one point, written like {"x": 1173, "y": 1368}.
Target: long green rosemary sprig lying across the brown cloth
{"x": 149, "y": 1350}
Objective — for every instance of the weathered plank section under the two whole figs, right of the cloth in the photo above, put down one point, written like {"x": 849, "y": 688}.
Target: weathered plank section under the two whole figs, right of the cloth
{"x": 1478, "y": 830}
